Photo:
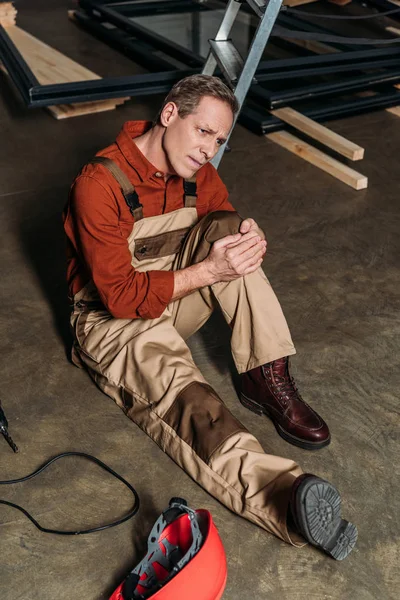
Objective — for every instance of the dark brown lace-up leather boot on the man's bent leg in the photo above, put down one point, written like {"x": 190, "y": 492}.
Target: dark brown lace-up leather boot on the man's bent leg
{"x": 270, "y": 390}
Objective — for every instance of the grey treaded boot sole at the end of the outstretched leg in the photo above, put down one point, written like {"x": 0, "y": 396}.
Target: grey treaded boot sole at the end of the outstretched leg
{"x": 318, "y": 517}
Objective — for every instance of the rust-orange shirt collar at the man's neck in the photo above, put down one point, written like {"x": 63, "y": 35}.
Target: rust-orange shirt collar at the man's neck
{"x": 131, "y": 152}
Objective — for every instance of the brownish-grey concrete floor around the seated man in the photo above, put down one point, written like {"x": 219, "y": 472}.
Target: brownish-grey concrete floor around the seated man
{"x": 333, "y": 259}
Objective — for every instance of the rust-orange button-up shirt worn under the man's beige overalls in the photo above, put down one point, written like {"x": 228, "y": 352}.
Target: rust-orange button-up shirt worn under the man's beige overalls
{"x": 98, "y": 222}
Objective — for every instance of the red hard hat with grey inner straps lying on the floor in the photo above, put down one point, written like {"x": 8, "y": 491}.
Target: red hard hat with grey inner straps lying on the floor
{"x": 185, "y": 559}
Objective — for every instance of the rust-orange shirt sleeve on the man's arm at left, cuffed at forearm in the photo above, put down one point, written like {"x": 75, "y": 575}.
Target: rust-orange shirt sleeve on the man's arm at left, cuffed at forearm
{"x": 125, "y": 292}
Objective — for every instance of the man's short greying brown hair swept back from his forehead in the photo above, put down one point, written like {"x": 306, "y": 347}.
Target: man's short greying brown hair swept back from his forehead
{"x": 188, "y": 92}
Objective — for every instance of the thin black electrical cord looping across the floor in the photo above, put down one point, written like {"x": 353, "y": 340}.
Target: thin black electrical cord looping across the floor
{"x": 131, "y": 513}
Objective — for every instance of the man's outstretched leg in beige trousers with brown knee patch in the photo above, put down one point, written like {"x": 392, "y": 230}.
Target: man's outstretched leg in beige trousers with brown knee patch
{"x": 147, "y": 368}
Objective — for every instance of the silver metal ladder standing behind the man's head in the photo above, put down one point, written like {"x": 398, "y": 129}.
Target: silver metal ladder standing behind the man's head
{"x": 239, "y": 73}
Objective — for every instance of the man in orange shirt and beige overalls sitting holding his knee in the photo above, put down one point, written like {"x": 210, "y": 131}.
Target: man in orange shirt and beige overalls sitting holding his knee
{"x": 153, "y": 246}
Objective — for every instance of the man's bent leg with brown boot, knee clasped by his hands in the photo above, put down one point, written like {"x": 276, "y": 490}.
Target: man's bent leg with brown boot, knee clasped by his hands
{"x": 260, "y": 342}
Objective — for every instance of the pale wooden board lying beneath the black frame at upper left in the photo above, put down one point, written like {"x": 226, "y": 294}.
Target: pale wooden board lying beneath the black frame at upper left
{"x": 51, "y": 66}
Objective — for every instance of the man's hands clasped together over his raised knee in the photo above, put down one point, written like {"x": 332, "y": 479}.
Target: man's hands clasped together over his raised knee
{"x": 234, "y": 256}
